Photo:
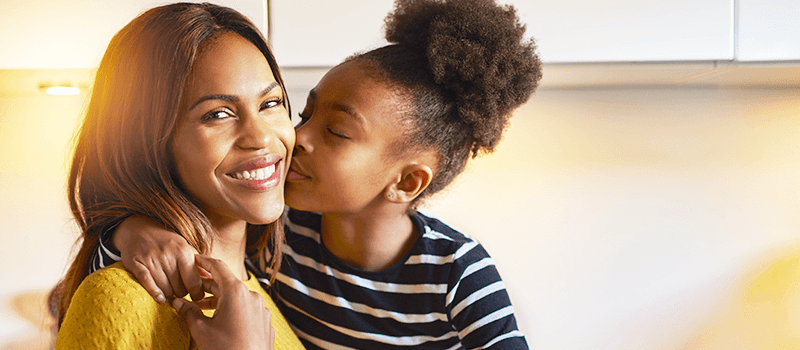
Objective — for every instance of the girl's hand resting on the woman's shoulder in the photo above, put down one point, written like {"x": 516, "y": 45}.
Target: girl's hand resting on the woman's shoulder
{"x": 161, "y": 260}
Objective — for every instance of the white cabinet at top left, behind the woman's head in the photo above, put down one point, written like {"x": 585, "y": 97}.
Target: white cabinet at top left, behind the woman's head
{"x": 47, "y": 34}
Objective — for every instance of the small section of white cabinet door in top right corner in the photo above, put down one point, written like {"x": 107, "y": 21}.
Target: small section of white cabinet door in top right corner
{"x": 769, "y": 30}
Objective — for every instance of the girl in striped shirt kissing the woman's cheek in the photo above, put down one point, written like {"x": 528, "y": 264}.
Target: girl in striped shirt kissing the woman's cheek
{"x": 380, "y": 133}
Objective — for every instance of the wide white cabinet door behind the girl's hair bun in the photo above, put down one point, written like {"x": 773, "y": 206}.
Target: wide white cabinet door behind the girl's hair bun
{"x": 313, "y": 32}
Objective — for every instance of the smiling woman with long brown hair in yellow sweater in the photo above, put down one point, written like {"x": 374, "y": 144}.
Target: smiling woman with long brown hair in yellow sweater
{"x": 188, "y": 125}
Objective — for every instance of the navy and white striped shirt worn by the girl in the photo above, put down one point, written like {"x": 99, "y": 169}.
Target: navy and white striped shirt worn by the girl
{"x": 445, "y": 294}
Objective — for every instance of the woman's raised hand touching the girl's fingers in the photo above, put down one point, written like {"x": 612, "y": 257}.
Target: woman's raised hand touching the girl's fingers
{"x": 241, "y": 321}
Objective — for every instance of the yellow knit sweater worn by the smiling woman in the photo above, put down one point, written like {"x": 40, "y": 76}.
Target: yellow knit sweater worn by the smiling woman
{"x": 111, "y": 310}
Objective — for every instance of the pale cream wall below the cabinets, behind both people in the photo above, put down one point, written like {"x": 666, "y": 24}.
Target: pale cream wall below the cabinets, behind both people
{"x": 619, "y": 218}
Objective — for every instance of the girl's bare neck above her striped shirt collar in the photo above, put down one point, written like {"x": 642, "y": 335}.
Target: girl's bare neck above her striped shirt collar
{"x": 368, "y": 242}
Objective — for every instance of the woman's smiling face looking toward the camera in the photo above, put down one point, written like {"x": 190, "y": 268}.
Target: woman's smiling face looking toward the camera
{"x": 233, "y": 139}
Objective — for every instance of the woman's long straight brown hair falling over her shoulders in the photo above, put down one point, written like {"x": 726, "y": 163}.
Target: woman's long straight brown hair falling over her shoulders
{"x": 122, "y": 163}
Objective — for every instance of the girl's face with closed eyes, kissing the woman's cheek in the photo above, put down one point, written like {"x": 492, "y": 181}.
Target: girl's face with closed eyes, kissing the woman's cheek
{"x": 342, "y": 161}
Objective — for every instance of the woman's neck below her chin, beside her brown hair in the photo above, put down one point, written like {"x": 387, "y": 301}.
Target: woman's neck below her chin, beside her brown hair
{"x": 229, "y": 245}
